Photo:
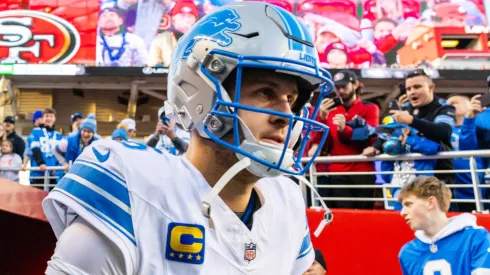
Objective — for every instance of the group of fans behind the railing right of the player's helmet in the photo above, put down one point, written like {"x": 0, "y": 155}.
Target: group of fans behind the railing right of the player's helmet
{"x": 417, "y": 122}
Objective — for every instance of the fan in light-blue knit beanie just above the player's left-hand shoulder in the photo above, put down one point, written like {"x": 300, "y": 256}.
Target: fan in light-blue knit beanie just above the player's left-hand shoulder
{"x": 70, "y": 148}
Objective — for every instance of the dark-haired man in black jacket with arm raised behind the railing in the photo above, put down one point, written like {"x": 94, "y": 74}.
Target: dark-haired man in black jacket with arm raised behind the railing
{"x": 428, "y": 116}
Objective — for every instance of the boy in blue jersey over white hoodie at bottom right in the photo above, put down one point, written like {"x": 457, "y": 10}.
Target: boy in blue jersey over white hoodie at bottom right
{"x": 442, "y": 245}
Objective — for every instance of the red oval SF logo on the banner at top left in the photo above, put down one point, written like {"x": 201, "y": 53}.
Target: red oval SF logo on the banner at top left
{"x": 28, "y": 36}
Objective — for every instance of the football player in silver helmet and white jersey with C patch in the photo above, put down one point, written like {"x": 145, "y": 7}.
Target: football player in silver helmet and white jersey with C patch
{"x": 239, "y": 79}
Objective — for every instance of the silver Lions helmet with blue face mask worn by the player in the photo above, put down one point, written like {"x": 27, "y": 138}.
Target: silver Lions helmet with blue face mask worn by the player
{"x": 238, "y": 36}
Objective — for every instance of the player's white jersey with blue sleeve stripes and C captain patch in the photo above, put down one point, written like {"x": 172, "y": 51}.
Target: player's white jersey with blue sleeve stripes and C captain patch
{"x": 148, "y": 203}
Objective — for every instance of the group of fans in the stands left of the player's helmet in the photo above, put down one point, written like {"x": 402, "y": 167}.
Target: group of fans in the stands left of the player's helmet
{"x": 47, "y": 150}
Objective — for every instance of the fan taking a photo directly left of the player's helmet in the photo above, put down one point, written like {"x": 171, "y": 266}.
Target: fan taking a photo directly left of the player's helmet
{"x": 169, "y": 137}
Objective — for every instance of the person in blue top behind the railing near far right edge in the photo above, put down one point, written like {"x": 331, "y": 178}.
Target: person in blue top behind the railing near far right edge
{"x": 464, "y": 138}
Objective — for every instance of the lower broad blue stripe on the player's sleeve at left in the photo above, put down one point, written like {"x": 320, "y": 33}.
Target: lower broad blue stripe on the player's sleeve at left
{"x": 101, "y": 203}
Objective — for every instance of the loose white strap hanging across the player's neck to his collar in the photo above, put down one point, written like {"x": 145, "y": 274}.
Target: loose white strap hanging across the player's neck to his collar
{"x": 208, "y": 199}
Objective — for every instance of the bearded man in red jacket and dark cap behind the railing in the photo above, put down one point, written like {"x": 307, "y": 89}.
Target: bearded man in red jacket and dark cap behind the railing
{"x": 351, "y": 130}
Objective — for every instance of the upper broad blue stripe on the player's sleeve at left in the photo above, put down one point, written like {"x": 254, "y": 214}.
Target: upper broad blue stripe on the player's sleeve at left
{"x": 103, "y": 180}
